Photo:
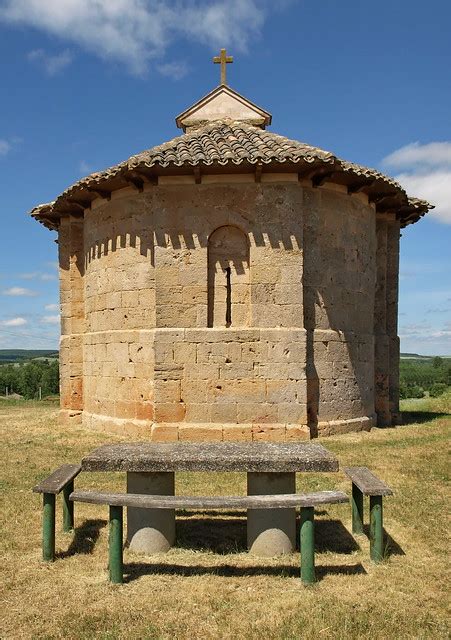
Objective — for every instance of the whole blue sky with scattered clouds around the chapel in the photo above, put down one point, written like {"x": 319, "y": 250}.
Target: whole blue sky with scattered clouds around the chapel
{"x": 85, "y": 84}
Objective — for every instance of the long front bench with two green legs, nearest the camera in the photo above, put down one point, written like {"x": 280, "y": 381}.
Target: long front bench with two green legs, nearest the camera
{"x": 117, "y": 501}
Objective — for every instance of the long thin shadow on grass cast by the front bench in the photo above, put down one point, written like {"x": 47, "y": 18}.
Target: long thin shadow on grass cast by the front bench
{"x": 134, "y": 570}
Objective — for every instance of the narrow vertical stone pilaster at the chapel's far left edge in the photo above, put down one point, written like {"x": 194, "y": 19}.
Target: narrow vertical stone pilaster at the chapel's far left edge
{"x": 71, "y": 267}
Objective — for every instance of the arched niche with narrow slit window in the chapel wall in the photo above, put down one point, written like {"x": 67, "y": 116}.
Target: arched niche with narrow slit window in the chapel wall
{"x": 228, "y": 278}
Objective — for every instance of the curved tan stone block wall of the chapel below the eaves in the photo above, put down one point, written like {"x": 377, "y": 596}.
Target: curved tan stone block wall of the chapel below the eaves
{"x": 298, "y": 358}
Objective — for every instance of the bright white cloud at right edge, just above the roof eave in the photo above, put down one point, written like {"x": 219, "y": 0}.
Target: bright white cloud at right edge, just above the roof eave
{"x": 426, "y": 173}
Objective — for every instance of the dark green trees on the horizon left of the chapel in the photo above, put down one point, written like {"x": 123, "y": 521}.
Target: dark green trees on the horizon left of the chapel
{"x": 30, "y": 379}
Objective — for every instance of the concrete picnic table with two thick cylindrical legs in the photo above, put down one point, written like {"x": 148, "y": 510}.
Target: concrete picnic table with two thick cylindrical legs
{"x": 271, "y": 469}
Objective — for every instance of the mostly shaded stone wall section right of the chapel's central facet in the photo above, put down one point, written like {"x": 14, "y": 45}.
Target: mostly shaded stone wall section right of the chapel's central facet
{"x": 339, "y": 281}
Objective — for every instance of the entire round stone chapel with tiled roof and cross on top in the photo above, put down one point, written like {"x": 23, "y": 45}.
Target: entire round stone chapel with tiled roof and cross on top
{"x": 230, "y": 284}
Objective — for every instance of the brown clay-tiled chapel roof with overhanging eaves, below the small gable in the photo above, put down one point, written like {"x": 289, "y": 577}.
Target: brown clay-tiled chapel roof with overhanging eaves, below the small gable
{"x": 239, "y": 147}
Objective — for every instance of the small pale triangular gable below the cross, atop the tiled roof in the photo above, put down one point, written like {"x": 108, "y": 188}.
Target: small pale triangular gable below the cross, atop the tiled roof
{"x": 223, "y": 103}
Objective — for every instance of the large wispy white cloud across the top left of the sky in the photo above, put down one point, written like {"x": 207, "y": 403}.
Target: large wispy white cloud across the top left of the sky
{"x": 136, "y": 32}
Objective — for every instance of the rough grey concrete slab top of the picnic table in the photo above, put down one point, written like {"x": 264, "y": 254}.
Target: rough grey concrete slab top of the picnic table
{"x": 142, "y": 457}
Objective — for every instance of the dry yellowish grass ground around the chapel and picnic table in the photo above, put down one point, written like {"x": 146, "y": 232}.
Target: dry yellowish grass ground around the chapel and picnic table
{"x": 208, "y": 587}
